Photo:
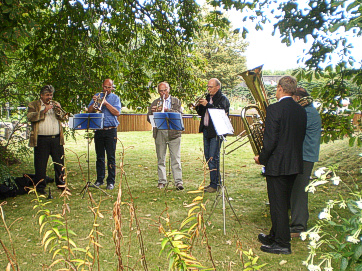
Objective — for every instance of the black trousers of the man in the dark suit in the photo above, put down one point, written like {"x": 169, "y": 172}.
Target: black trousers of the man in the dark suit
{"x": 279, "y": 192}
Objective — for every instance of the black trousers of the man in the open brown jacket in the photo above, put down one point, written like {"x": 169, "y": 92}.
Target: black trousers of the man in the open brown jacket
{"x": 48, "y": 145}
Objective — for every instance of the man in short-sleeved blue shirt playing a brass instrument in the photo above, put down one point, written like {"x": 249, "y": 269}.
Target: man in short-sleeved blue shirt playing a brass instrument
{"x": 105, "y": 139}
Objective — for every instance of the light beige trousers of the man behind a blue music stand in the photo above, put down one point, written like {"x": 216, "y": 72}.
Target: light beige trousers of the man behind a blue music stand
{"x": 174, "y": 145}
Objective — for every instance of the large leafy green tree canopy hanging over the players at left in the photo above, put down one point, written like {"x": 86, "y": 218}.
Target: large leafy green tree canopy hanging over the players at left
{"x": 74, "y": 45}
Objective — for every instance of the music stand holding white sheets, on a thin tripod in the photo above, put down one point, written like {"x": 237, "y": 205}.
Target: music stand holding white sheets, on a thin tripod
{"x": 222, "y": 127}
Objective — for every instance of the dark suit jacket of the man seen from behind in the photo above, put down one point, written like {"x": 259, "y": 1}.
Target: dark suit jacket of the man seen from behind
{"x": 285, "y": 126}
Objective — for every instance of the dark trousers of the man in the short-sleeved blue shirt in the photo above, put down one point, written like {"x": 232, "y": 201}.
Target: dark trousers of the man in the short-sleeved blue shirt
{"x": 105, "y": 142}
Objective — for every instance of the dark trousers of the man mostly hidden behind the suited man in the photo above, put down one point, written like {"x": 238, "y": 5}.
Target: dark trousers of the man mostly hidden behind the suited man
{"x": 299, "y": 199}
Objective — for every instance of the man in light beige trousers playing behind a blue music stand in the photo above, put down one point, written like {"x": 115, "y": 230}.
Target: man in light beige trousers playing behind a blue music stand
{"x": 164, "y": 138}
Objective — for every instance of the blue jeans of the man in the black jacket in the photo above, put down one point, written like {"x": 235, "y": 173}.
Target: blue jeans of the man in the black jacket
{"x": 212, "y": 154}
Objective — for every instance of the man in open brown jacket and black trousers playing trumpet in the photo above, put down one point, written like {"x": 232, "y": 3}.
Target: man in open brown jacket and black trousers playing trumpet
{"x": 46, "y": 137}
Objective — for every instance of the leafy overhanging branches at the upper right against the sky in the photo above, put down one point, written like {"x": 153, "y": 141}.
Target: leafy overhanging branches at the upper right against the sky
{"x": 323, "y": 21}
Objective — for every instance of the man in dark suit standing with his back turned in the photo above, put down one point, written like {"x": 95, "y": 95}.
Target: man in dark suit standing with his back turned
{"x": 282, "y": 156}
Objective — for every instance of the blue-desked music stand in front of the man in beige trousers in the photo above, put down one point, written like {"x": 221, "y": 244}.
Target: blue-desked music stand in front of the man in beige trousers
{"x": 168, "y": 121}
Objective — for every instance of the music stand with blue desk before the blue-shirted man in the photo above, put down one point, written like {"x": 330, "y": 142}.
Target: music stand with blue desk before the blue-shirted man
{"x": 86, "y": 121}
